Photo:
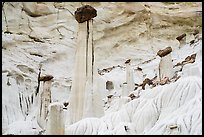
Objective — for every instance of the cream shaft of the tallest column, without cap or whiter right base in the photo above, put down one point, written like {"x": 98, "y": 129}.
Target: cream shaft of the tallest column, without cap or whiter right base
{"x": 82, "y": 72}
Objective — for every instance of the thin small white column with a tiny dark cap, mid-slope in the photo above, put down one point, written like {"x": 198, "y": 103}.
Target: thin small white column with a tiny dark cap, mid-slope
{"x": 129, "y": 76}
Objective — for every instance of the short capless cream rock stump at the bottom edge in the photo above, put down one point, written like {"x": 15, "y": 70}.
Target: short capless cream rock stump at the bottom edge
{"x": 55, "y": 123}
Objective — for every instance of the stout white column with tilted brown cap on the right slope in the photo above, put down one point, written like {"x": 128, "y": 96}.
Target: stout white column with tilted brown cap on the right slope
{"x": 165, "y": 65}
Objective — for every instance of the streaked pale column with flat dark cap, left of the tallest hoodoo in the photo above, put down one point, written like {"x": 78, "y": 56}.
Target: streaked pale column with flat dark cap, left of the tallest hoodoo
{"x": 44, "y": 100}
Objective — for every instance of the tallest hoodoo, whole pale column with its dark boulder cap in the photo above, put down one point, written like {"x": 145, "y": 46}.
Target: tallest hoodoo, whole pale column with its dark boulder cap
{"x": 82, "y": 97}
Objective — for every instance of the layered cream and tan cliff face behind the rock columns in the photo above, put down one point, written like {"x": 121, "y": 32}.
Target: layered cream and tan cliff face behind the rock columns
{"x": 45, "y": 33}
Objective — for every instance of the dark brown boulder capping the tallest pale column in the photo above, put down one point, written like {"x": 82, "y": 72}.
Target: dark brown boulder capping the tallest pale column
{"x": 85, "y": 13}
